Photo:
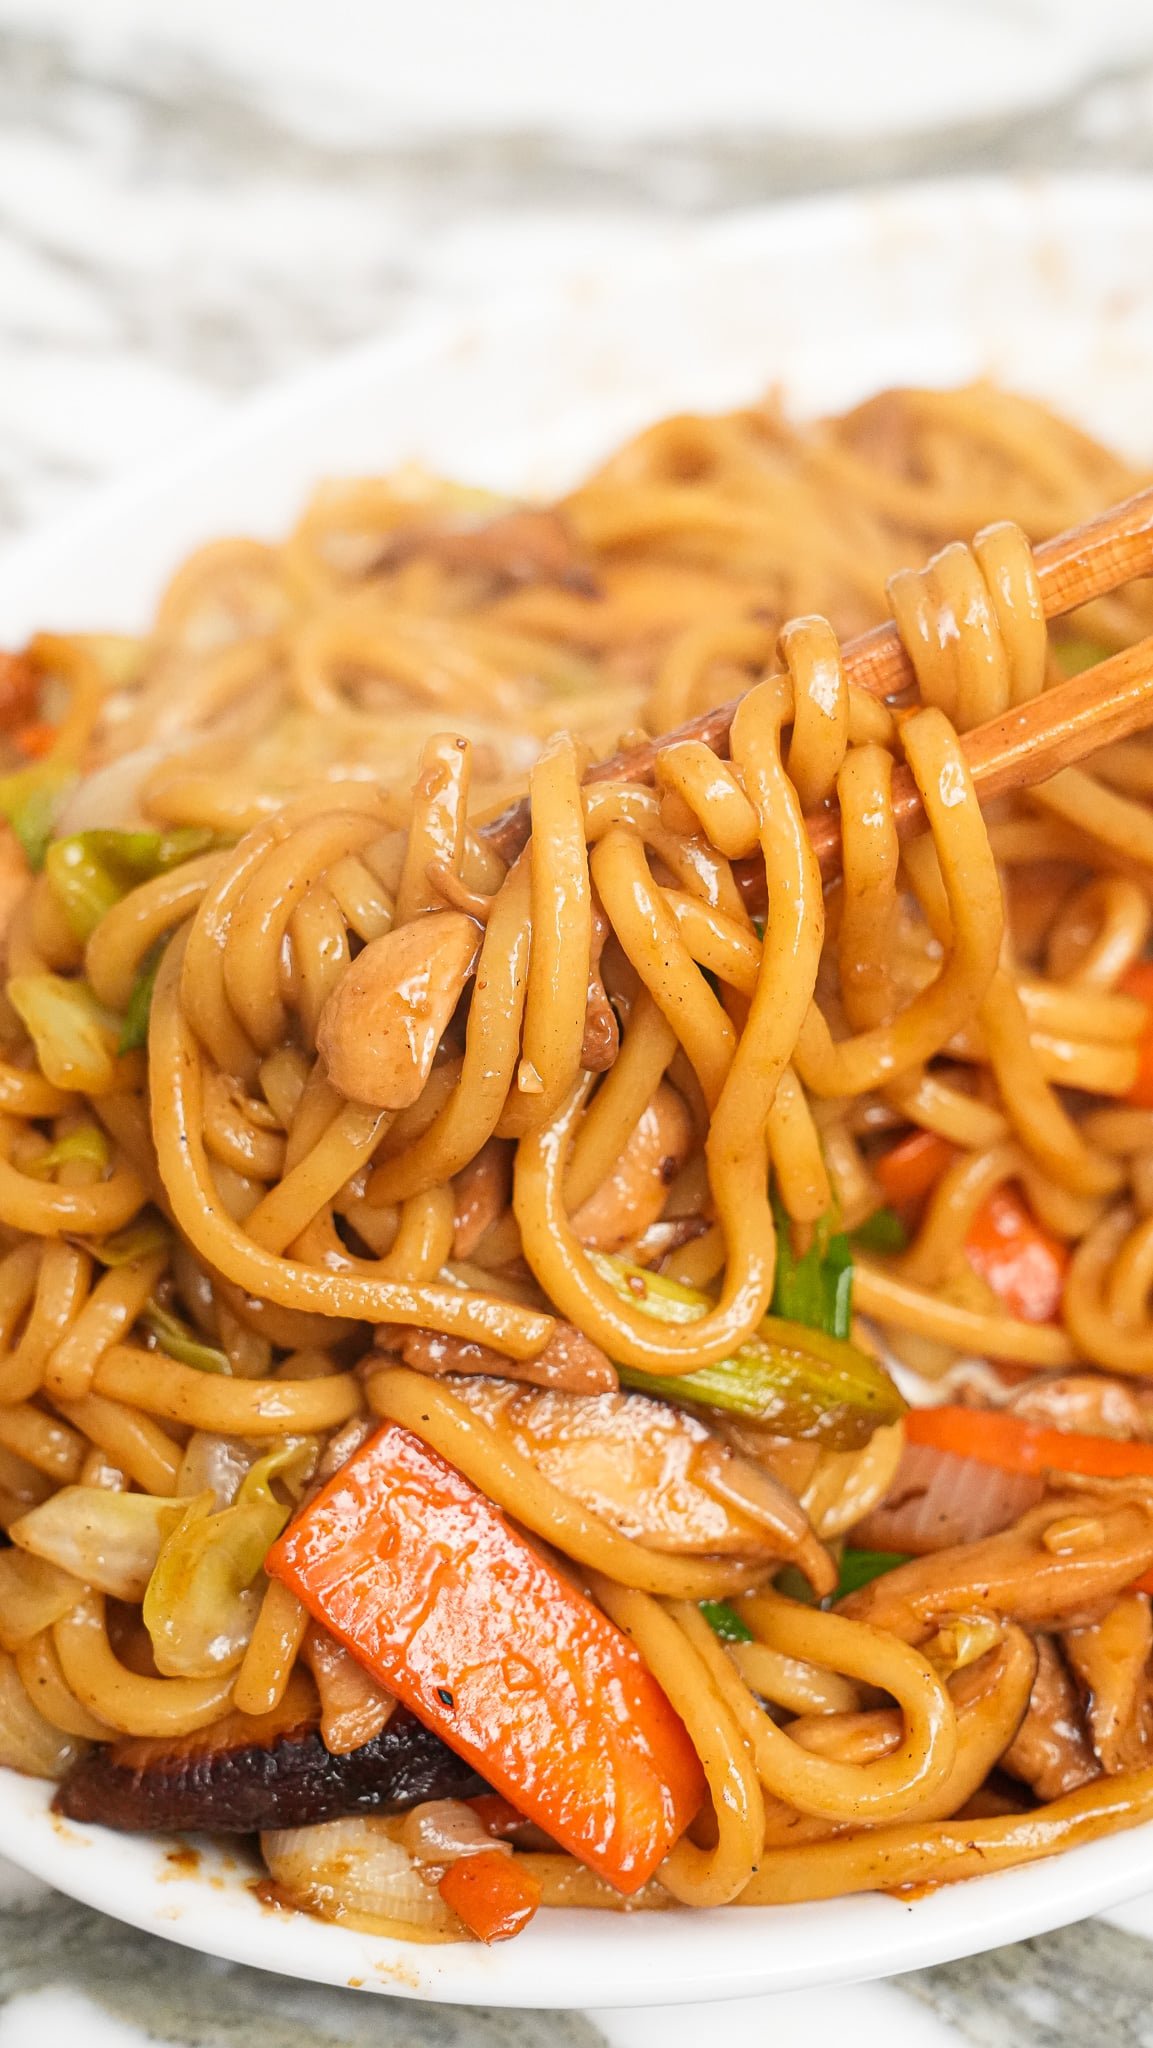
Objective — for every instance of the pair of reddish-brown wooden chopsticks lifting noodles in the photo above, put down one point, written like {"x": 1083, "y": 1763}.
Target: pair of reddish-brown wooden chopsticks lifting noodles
{"x": 1021, "y": 749}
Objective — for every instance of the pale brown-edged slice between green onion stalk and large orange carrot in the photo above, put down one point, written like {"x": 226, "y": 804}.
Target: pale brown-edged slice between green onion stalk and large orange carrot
{"x": 652, "y": 1471}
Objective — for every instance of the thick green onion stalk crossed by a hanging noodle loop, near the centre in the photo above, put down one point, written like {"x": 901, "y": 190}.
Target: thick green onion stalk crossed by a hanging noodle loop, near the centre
{"x": 792, "y": 1379}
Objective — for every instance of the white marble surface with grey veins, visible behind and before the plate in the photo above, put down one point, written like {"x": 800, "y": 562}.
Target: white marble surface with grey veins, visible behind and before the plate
{"x": 191, "y": 210}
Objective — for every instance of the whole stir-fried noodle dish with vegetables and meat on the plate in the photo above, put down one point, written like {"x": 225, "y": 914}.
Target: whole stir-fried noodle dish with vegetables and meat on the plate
{"x": 587, "y": 1365}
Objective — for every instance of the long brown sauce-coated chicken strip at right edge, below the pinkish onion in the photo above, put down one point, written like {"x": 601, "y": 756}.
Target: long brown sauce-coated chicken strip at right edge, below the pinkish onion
{"x": 1062, "y": 1566}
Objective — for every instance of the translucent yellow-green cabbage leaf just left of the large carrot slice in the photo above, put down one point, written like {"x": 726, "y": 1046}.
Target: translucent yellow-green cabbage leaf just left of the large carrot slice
{"x": 204, "y": 1596}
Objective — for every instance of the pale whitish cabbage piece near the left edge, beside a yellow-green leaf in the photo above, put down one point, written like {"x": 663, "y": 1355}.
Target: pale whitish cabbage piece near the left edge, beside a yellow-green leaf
{"x": 110, "y": 1541}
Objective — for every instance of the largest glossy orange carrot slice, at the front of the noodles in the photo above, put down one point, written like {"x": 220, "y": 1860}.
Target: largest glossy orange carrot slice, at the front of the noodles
{"x": 456, "y": 1613}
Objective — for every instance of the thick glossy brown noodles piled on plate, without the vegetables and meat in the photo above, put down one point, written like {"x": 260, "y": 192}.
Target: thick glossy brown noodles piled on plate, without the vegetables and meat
{"x": 220, "y": 1197}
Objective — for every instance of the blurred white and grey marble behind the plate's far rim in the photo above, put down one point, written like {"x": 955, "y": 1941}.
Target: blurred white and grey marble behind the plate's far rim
{"x": 202, "y": 200}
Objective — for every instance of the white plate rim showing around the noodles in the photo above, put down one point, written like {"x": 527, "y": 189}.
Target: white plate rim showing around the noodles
{"x": 1048, "y": 286}
